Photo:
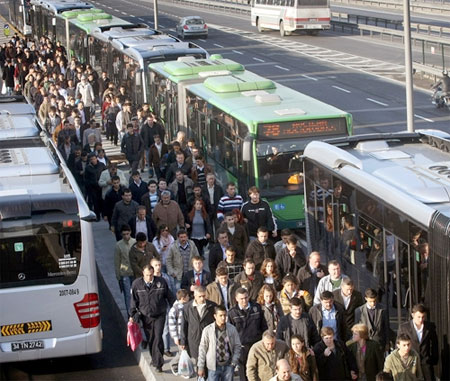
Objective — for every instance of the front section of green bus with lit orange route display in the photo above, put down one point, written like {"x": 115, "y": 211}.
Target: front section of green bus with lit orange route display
{"x": 254, "y": 131}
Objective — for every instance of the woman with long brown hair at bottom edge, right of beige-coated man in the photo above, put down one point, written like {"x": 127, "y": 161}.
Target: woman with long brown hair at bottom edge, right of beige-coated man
{"x": 302, "y": 359}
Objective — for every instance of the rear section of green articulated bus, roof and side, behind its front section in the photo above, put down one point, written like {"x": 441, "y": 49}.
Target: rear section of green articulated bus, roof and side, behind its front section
{"x": 168, "y": 86}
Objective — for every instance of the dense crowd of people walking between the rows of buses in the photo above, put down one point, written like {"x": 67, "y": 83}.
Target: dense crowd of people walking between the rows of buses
{"x": 264, "y": 309}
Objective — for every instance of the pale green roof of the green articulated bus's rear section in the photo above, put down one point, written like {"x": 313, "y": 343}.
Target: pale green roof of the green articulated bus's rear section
{"x": 187, "y": 69}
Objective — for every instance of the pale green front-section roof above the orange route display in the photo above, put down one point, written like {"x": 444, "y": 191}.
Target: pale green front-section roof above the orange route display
{"x": 253, "y": 99}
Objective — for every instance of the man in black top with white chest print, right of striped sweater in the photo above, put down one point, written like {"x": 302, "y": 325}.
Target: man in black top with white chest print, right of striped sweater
{"x": 257, "y": 213}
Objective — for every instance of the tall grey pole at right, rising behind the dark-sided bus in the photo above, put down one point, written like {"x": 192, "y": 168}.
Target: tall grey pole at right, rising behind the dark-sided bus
{"x": 408, "y": 66}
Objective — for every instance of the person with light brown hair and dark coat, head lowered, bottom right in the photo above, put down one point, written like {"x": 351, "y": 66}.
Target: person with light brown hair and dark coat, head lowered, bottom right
{"x": 368, "y": 354}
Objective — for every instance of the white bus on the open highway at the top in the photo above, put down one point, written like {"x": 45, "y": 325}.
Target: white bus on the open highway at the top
{"x": 288, "y": 16}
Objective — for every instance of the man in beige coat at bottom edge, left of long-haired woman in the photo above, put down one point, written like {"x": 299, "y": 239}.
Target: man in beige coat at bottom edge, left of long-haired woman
{"x": 263, "y": 357}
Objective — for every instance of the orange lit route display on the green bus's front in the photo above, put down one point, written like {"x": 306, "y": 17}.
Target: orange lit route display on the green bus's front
{"x": 302, "y": 128}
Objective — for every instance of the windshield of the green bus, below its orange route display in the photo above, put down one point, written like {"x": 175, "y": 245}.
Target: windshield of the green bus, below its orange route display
{"x": 279, "y": 166}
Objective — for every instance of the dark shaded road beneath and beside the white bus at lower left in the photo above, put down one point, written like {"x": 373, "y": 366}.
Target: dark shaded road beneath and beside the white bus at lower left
{"x": 115, "y": 362}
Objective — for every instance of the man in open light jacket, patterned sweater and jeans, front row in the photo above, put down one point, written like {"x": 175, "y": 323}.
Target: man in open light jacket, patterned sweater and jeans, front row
{"x": 220, "y": 348}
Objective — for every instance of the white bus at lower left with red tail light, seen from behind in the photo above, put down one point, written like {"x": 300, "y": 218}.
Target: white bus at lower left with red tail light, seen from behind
{"x": 48, "y": 282}
